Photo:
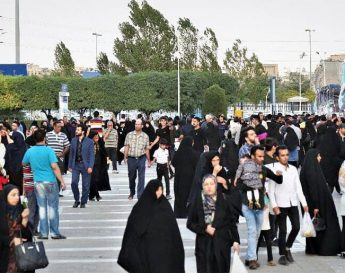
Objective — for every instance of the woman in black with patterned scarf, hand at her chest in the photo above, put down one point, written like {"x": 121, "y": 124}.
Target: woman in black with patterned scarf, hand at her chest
{"x": 211, "y": 218}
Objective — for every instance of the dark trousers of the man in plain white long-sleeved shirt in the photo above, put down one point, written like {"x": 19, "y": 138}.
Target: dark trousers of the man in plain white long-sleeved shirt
{"x": 293, "y": 215}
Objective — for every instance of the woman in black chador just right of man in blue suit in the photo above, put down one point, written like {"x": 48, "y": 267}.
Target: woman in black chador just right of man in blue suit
{"x": 99, "y": 177}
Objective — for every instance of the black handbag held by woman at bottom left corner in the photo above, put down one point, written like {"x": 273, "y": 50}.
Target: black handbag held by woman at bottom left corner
{"x": 30, "y": 255}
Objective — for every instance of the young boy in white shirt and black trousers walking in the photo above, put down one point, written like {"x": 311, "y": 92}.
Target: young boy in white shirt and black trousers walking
{"x": 161, "y": 156}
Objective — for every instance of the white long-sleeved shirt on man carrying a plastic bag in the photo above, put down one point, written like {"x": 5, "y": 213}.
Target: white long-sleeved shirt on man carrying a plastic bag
{"x": 289, "y": 193}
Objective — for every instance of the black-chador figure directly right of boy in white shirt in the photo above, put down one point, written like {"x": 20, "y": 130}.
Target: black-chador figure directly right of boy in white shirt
{"x": 184, "y": 162}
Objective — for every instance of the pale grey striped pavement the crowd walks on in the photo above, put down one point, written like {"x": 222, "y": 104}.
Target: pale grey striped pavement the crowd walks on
{"x": 95, "y": 235}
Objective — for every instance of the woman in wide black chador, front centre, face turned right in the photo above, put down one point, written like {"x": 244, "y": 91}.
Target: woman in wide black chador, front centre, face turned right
{"x": 152, "y": 242}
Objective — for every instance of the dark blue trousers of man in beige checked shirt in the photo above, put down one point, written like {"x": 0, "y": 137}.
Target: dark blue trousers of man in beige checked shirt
{"x": 136, "y": 165}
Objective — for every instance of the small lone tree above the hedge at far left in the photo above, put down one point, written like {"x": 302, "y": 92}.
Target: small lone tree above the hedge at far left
{"x": 64, "y": 63}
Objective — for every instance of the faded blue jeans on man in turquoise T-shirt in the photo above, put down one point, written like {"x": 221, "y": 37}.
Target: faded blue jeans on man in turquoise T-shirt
{"x": 47, "y": 195}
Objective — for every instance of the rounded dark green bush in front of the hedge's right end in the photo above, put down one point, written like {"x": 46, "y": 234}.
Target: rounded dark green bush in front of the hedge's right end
{"x": 215, "y": 101}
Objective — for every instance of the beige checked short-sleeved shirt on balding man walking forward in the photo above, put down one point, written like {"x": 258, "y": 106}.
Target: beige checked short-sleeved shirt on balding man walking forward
{"x": 137, "y": 143}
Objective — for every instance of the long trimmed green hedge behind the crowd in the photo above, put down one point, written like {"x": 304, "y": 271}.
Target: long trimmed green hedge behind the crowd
{"x": 146, "y": 91}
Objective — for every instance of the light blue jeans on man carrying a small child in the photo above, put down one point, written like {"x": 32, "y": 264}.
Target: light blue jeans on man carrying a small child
{"x": 254, "y": 219}
